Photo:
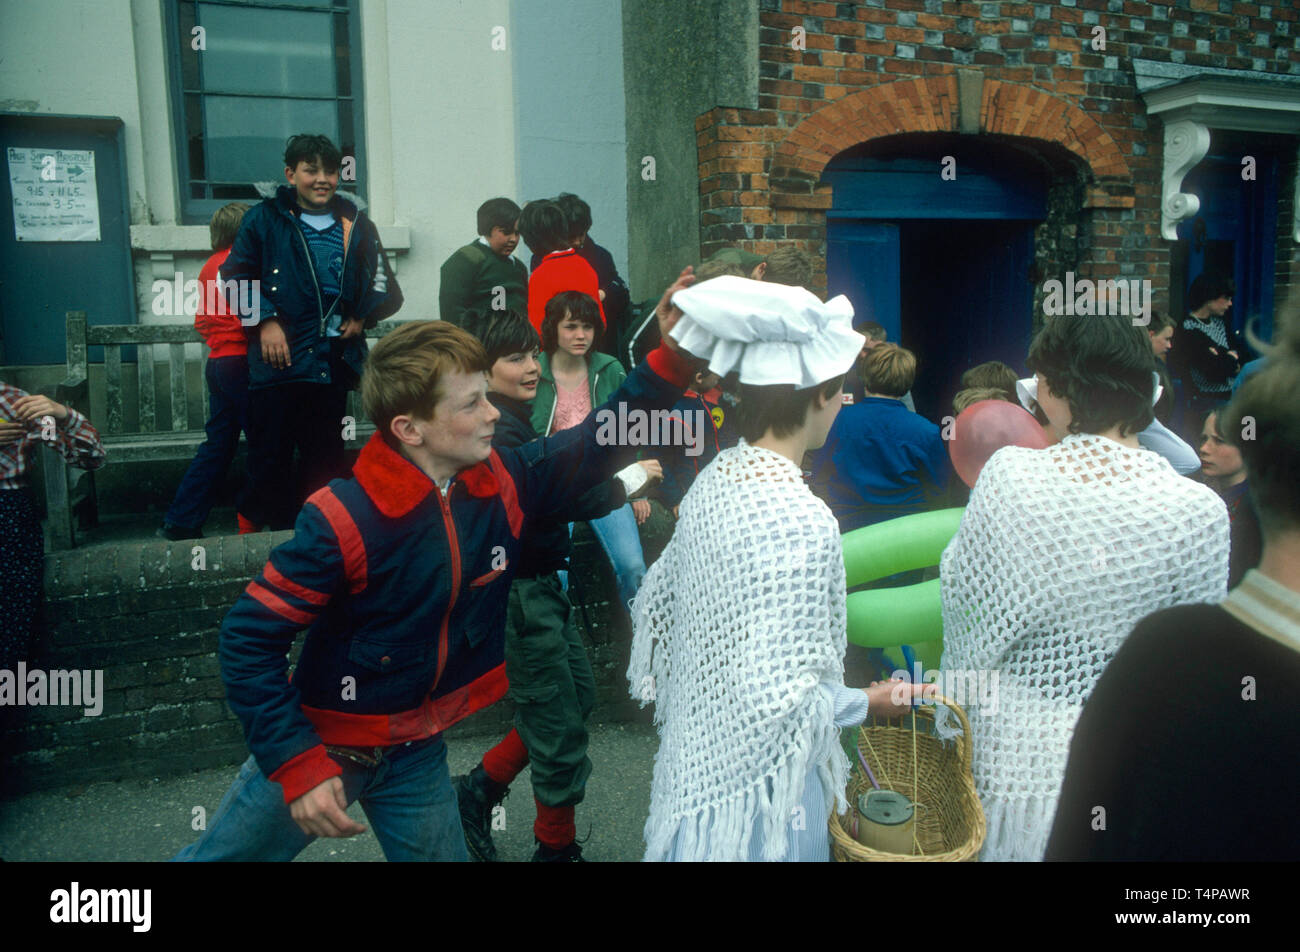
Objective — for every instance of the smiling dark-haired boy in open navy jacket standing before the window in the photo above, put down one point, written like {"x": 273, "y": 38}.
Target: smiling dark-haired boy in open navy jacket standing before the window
{"x": 322, "y": 280}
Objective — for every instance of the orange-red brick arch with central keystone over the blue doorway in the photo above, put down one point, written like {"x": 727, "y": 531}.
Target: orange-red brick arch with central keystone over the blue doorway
{"x": 931, "y": 105}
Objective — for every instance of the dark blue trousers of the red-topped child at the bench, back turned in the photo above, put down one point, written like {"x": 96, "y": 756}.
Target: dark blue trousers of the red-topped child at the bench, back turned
{"x": 228, "y": 416}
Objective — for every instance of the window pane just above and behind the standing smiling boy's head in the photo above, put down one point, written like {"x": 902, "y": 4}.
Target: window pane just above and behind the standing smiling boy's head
{"x": 246, "y": 137}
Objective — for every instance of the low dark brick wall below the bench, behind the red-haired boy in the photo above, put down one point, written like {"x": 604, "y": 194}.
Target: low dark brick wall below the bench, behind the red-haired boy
{"x": 144, "y": 616}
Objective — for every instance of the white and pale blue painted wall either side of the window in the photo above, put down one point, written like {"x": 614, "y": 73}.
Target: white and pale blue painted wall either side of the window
{"x": 449, "y": 122}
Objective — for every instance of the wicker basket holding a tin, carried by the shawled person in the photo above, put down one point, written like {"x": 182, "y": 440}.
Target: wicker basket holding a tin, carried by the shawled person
{"x": 950, "y": 819}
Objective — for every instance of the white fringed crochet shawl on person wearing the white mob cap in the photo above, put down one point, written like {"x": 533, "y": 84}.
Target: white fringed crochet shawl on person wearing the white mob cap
{"x": 735, "y": 628}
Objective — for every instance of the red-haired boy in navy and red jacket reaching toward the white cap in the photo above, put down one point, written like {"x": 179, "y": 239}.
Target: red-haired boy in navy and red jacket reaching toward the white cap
{"x": 401, "y": 577}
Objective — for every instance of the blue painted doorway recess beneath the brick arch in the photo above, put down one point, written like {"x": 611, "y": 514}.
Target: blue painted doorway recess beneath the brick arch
{"x": 943, "y": 265}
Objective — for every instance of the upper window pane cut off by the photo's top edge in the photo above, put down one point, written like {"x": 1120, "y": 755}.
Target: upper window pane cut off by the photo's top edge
{"x": 267, "y": 51}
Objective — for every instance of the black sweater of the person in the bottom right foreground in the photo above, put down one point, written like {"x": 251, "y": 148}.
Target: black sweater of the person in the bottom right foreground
{"x": 1185, "y": 767}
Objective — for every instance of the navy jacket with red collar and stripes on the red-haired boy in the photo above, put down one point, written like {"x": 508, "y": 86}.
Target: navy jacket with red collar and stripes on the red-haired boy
{"x": 404, "y": 594}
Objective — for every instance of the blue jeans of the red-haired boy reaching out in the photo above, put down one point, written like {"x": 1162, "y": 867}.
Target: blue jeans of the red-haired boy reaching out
{"x": 408, "y": 798}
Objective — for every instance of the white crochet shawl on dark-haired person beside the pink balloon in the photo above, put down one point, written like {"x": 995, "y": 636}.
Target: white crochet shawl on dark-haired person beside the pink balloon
{"x": 1060, "y": 553}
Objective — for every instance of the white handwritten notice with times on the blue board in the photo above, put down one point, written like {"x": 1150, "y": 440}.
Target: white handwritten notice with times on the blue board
{"x": 55, "y": 198}
